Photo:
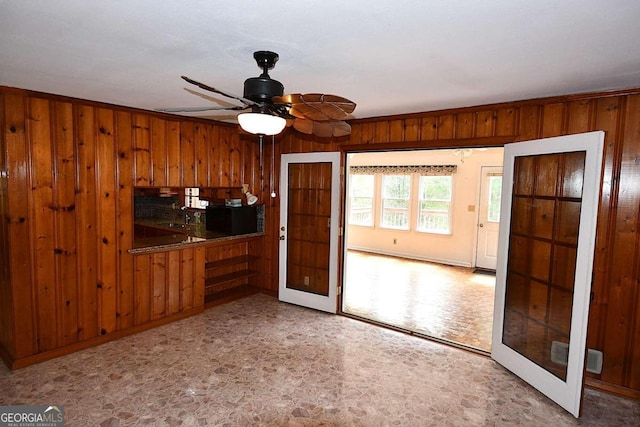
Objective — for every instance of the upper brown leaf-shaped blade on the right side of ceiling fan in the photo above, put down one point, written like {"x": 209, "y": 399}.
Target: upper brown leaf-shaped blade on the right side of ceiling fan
{"x": 317, "y": 106}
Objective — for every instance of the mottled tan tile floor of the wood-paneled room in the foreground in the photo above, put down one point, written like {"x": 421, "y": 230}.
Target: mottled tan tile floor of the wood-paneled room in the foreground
{"x": 259, "y": 362}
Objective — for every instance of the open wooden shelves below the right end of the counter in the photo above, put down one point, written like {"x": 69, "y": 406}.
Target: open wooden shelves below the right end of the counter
{"x": 232, "y": 265}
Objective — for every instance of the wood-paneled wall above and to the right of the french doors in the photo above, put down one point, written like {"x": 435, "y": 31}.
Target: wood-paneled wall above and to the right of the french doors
{"x": 614, "y": 322}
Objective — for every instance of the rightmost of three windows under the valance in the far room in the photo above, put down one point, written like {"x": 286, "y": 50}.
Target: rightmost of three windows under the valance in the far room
{"x": 435, "y": 204}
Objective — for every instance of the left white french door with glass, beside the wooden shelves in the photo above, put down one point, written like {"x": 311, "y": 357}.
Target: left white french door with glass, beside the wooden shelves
{"x": 309, "y": 222}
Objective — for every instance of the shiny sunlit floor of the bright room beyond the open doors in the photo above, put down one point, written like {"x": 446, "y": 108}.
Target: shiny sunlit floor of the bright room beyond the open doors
{"x": 445, "y": 302}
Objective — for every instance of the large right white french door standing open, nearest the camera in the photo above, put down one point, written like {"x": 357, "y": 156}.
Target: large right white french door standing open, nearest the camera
{"x": 550, "y": 196}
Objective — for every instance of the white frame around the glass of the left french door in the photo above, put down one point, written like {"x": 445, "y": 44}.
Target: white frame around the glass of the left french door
{"x": 327, "y": 303}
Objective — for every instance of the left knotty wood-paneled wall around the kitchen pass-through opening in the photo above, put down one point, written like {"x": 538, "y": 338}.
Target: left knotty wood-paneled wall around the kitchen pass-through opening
{"x": 67, "y": 277}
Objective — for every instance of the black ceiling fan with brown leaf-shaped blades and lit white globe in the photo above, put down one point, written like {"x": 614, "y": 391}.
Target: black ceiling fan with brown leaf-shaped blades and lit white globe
{"x": 313, "y": 113}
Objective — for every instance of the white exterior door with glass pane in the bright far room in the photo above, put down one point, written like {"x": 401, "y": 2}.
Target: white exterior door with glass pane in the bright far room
{"x": 488, "y": 217}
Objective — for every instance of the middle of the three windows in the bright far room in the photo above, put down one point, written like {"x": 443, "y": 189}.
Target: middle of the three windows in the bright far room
{"x": 396, "y": 191}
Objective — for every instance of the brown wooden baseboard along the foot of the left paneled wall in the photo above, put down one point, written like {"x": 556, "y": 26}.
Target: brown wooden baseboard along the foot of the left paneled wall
{"x": 17, "y": 363}
